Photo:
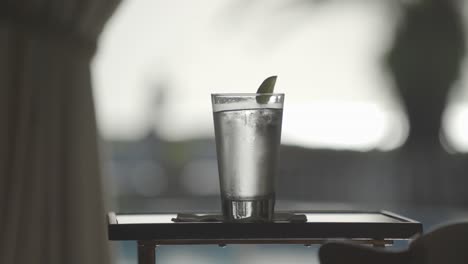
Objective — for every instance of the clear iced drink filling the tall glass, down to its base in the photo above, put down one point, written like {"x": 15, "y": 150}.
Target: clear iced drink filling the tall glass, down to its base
{"x": 247, "y": 142}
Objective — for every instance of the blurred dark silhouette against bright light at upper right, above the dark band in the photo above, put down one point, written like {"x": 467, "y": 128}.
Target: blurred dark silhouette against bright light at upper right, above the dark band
{"x": 425, "y": 61}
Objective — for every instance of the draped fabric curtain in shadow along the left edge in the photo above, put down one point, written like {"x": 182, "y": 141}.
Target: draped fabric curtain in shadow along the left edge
{"x": 51, "y": 200}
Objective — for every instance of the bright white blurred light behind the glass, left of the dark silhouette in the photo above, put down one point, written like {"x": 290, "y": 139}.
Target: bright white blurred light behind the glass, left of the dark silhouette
{"x": 159, "y": 61}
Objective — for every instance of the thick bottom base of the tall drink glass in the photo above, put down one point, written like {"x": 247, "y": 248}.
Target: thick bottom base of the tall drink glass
{"x": 249, "y": 210}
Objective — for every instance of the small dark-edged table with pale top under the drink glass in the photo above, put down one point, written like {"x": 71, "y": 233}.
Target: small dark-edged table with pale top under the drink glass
{"x": 150, "y": 230}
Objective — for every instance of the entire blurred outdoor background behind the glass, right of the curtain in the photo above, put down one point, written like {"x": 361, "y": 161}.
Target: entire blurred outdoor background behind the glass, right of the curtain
{"x": 375, "y": 117}
